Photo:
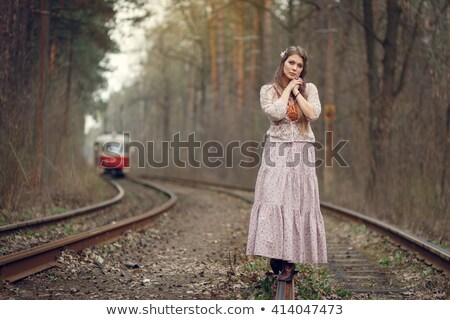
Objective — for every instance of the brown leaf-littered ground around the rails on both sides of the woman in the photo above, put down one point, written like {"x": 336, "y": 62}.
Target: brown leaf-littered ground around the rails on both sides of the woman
{"x": 196, "y": 250}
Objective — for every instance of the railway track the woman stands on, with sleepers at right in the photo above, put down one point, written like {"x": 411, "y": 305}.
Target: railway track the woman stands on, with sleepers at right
{"x": 349, "y": 266}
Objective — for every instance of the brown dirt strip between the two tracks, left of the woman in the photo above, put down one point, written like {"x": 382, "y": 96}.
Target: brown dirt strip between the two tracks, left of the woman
{"x": 188, "y": 254}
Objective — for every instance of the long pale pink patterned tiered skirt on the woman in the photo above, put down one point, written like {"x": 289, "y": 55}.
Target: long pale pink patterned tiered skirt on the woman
{"x": 286, "y": 222}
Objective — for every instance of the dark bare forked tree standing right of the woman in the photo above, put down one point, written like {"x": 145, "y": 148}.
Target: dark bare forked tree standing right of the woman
{"x": 385, "y": 83}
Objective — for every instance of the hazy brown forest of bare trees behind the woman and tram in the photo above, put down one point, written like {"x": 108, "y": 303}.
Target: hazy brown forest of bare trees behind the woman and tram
{"x": 381, "y": 69}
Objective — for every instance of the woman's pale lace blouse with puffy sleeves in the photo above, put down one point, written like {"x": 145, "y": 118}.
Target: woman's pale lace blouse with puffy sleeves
{"x": 276, "y": 110}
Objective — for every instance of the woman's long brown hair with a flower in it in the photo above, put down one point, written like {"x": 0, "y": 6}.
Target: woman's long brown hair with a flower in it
{"x": 279, "y": 76}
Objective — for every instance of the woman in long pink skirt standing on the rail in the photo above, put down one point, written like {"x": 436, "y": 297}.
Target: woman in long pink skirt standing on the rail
{"x": 286, "y": 224}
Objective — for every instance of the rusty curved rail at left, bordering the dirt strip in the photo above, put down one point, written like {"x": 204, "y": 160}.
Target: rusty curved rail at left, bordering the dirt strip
{"x": 24, "y": 263}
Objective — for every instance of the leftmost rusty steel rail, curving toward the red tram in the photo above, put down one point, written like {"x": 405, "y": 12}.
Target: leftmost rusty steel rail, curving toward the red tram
{"x": 69, "y": 214}
